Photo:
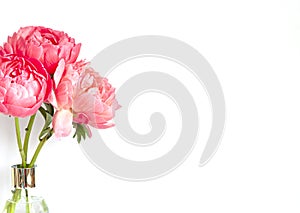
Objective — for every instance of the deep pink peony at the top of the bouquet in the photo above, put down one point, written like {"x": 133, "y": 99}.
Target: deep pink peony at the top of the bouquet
{"x": 44, "y": 44}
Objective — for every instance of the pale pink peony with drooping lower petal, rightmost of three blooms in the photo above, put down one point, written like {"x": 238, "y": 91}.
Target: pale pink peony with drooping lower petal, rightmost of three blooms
{"x": 85, "y": 94}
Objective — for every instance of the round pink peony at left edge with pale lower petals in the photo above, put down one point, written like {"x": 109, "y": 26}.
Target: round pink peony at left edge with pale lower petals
{"x": 24, "y": 85}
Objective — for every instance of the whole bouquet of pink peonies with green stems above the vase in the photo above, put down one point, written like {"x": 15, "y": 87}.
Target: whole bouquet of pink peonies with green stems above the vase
{"x": 39, "y": 72}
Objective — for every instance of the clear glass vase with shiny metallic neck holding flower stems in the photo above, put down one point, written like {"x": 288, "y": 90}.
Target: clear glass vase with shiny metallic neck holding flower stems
{"x": 24, "y": 198}
